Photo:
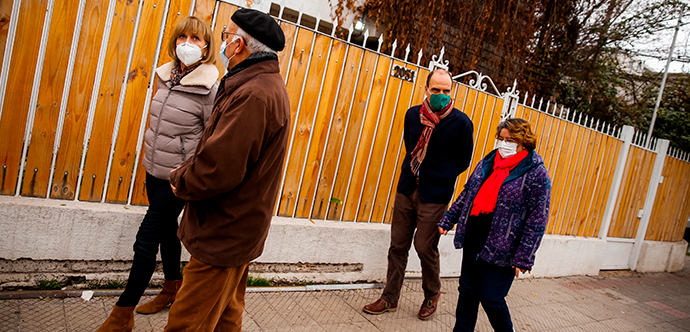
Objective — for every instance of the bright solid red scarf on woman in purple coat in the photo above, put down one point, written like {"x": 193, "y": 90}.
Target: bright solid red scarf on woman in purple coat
{"x": 485, "y": 202}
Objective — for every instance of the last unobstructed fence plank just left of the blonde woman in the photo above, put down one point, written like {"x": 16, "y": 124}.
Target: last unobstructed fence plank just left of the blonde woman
{"x": 138, "y": 79}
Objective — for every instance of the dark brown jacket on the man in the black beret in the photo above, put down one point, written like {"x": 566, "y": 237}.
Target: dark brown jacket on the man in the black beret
{"x": 231, "y": 182}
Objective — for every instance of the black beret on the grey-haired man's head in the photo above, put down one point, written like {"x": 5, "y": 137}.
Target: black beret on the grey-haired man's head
{"x": 260, "y": 26}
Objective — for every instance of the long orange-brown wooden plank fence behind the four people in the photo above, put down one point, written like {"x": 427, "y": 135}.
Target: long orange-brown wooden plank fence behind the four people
{"x": 78, "y": 76}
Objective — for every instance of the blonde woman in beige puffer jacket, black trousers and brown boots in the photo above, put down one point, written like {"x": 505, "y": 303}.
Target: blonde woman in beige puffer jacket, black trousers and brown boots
{"x": 179, "y": 111}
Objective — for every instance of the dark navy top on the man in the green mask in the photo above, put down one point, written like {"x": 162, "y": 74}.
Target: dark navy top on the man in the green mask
{"x": 448, "y": 154}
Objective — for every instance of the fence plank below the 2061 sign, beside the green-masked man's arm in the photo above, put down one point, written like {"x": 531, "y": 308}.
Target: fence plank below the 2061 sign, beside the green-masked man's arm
{"x": 392, "y": 159}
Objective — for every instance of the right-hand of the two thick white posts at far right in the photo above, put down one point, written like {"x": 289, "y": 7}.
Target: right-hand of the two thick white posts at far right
{"x": 661, "y": 150}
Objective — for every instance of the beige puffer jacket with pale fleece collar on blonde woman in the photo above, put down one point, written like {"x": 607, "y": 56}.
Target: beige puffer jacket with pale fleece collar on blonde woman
{"x": 178, "y": 117}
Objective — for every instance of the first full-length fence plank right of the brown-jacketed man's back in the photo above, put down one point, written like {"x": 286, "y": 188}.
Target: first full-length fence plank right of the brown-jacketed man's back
{"x": 296, "y": 77}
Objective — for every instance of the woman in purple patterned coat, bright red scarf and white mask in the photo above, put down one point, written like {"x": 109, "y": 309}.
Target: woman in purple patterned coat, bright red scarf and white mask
{"x": 501, "y": 216}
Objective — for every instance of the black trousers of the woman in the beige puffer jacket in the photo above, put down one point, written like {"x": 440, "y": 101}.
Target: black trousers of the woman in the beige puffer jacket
{"x": 159, "y": 227}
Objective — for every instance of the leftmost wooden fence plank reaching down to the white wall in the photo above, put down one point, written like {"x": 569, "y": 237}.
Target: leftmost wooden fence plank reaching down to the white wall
{"x": 18, "y": 91}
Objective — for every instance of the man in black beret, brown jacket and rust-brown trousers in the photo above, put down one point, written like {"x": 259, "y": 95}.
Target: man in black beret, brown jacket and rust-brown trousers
{"x": 231, "y": 182}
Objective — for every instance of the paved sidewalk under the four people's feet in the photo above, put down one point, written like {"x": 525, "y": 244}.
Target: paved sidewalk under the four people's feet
{"x": 613, "y": 301}
